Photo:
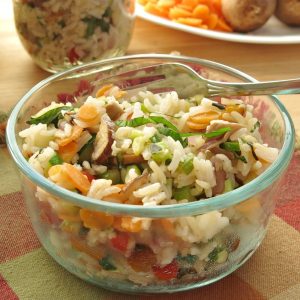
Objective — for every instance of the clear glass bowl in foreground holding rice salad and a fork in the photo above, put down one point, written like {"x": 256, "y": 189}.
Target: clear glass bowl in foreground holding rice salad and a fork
{"x": 229, "y": 227}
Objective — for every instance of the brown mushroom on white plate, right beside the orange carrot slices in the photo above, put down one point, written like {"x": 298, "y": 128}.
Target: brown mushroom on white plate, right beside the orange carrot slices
{"x": 247, "y": 15}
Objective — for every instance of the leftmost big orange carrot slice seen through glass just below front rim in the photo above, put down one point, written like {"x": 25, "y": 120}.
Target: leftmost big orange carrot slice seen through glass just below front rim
{"x": 96, "y": 219}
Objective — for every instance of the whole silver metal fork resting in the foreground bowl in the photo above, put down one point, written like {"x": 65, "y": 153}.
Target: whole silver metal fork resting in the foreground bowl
{"x": 187, "y": 82}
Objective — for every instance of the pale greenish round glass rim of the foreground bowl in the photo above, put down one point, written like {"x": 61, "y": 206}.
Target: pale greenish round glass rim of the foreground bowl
{"x": 219, "y": 202}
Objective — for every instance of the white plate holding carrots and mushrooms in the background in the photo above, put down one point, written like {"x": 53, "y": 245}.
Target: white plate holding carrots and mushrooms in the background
{"x": 273, "y": 32}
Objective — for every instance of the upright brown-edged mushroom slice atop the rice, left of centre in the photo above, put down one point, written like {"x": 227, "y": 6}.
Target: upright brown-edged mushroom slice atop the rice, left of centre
{"x": 104, "y": 140}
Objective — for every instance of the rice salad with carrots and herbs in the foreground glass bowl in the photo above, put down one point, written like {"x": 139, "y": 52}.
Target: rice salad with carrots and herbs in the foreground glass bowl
{"x": 147, "y": 149}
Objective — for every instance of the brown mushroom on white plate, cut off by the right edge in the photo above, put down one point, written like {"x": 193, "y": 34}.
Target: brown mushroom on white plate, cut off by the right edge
{"x": 288, "y": 11}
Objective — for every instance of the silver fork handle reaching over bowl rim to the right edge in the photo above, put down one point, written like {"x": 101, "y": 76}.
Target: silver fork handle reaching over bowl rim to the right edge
{"x": 279, "y": 87}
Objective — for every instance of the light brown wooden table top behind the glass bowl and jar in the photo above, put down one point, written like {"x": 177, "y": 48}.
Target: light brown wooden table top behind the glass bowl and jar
{"x": 264, "y": 62}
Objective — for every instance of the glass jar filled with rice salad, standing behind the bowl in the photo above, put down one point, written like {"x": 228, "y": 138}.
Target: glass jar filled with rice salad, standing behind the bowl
{"x": 60, "y": 34}
